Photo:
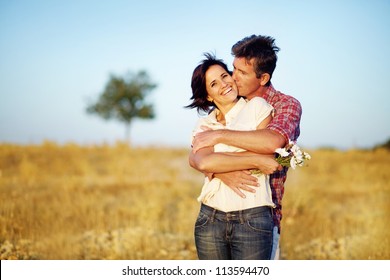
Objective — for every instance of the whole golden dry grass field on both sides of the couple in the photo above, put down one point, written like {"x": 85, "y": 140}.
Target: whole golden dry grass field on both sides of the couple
{"x": 117, "y": 202}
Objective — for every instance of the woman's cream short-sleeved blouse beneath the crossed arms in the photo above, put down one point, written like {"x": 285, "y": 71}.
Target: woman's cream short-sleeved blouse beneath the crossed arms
{"x": 245, "y": 115}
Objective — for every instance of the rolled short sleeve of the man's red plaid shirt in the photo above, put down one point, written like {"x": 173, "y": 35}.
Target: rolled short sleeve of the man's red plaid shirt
{"x": 287, "y": 117}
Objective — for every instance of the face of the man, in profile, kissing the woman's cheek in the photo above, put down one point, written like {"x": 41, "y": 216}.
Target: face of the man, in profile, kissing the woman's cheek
{"x": 245, "y": 77}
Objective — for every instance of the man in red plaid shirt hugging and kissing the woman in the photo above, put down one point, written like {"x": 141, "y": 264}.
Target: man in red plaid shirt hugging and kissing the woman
{"x": 254, "y": 62}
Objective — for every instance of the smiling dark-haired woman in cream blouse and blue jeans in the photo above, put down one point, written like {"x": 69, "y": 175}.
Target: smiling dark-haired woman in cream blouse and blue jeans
{"x": 229, "y": 226}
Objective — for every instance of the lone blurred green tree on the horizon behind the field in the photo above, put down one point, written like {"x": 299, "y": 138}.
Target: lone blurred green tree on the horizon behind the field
{"x": 124, "y": 99}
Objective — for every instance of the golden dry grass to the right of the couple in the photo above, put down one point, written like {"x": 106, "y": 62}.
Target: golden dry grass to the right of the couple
{"x": 338, "y": 207}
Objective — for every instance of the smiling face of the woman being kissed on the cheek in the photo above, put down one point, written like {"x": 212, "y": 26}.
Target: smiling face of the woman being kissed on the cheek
{"x": 221, "y": 88}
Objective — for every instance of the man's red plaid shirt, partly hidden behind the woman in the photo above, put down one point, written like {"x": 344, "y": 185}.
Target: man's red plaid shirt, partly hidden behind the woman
{"x": 286, "y": 120}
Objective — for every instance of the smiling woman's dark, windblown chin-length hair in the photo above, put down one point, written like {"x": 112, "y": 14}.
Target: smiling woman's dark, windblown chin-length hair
{"x": 198, "y": 84}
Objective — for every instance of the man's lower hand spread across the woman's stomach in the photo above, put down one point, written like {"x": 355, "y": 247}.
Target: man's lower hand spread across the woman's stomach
{"x": 238, "y": 181}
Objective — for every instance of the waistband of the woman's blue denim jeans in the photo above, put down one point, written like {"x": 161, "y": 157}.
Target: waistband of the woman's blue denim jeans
{"x": 239, "y": 215}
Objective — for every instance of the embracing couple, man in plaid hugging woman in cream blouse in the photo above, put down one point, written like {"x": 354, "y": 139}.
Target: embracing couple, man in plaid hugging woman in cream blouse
{"x": 234, "y": 146}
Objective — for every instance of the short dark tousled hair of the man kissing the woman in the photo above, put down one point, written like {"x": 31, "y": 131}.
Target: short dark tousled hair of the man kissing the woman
{"x": 262, "y": 49}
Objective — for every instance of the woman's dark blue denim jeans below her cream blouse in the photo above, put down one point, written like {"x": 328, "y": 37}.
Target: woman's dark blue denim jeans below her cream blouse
{"x": 237, "y": 235}
